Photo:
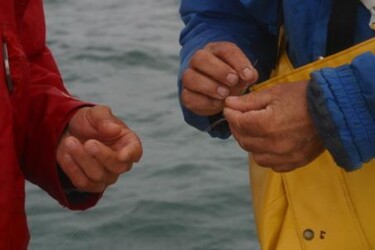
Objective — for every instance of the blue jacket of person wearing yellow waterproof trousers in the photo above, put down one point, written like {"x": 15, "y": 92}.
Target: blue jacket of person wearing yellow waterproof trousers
{"x": 342, "y": 100}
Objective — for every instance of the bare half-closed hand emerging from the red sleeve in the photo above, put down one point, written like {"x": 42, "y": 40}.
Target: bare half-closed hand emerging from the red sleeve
{"x": 96, "y": 148}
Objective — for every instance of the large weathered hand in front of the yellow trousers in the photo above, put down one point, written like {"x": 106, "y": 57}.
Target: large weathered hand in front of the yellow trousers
{"x": 274, "y": 124}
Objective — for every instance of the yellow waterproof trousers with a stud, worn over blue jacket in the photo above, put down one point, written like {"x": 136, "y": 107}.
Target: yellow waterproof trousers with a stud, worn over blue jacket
{"x": 319, "y": 206}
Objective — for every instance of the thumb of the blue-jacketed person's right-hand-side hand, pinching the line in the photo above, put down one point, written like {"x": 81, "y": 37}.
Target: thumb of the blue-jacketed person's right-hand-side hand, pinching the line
{"x": 252, "y": 101}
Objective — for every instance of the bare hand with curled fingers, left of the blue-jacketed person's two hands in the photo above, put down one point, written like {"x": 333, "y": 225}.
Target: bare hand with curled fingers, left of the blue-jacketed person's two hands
{"x": 218, "y": 70}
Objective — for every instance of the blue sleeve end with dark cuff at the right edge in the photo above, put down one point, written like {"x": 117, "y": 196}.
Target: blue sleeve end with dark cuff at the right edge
{"x": 342, "y": 104}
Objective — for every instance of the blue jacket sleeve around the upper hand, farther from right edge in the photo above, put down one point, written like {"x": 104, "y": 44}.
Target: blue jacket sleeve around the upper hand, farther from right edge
{"x": 232, "y": 21}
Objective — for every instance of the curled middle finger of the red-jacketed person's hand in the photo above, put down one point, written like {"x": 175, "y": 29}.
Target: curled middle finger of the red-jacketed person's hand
{"x": 108, "y": 158}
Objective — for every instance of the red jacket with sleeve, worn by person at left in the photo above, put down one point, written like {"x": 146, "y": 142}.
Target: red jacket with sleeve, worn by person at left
{"x": 32, "y": 117}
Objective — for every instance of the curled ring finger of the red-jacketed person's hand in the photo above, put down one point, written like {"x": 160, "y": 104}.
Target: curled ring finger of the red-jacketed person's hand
{"x": 88, "y": 165}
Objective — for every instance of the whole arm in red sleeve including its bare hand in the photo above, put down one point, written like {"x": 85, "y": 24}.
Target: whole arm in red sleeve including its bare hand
{"x": 51, "y": 126}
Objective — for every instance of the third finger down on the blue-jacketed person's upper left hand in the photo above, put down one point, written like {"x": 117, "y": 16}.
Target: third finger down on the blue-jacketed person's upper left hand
{"x": 196, "y": 82}
